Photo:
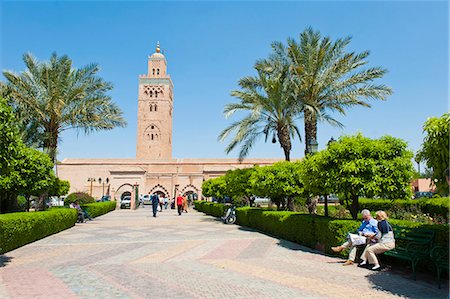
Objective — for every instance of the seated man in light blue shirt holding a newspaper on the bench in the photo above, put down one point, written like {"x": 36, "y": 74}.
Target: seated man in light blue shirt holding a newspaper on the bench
{"x": 368, "y": 228}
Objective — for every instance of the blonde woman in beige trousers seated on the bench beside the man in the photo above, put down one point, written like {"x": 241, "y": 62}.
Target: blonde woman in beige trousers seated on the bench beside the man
{"x": 385, "y": 238}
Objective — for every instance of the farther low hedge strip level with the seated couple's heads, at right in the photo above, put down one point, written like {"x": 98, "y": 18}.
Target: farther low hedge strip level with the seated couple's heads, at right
{"x": 431, "y": 206}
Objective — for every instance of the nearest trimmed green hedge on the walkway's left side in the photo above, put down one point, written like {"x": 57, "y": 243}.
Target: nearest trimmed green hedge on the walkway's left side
{"x": 18, "y": 229}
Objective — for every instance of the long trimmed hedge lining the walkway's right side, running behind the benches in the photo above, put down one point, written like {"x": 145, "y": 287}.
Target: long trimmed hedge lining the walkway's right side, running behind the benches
{"x": 313, "y": 231}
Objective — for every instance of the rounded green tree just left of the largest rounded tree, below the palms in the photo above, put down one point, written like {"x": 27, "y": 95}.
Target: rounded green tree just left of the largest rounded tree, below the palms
{"x": 280, "y": 182}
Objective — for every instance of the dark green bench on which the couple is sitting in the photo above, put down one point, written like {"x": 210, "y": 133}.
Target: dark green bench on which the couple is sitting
{"x": 412, "y": 244}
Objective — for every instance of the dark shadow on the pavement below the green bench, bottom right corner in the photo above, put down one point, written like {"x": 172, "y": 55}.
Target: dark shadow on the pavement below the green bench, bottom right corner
{"x": 383, "y": 281}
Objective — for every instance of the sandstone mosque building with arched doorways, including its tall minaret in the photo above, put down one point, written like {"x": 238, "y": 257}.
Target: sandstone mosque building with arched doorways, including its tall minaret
{"x": 154, "y": 170}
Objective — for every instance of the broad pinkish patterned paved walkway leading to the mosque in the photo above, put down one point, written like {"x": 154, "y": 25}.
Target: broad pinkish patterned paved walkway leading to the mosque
{"x": 128, "y": 254}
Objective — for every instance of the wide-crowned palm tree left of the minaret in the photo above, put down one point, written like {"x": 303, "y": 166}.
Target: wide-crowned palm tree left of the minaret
{"x": 52, "y": 97}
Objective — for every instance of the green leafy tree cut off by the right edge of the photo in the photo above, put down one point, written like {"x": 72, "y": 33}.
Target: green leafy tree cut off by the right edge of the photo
{"x": 435, "y": 150}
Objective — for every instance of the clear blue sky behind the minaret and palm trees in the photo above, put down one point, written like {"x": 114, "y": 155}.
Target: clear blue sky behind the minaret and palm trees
{"x": 209, "y": 46}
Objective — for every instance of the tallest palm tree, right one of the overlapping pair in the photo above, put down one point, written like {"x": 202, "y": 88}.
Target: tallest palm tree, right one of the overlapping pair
{"x": 327, "y": 79}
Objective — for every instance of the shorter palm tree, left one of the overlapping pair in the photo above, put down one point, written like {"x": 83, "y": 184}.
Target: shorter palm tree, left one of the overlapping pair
{"x": 269, "y": 103}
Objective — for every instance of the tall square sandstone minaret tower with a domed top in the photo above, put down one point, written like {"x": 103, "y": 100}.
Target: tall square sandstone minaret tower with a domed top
{"x": 155, "y": 107}
